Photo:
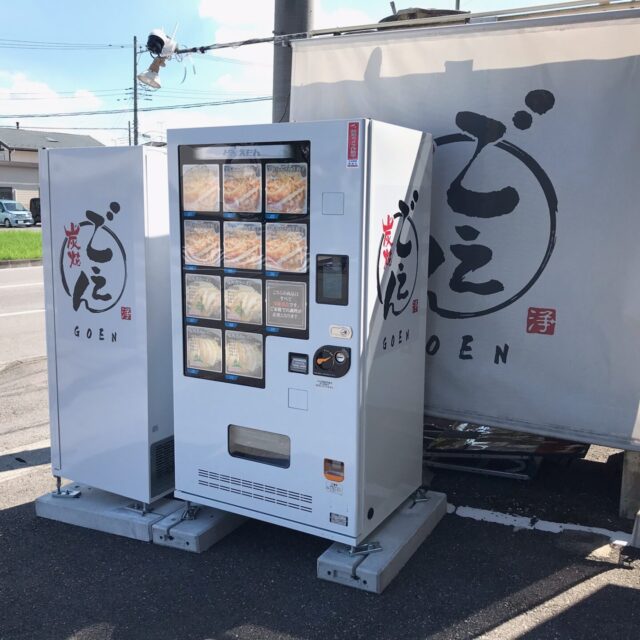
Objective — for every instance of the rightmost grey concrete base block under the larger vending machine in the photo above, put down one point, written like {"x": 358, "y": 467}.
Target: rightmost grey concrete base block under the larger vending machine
{"x": 372, "y": 565}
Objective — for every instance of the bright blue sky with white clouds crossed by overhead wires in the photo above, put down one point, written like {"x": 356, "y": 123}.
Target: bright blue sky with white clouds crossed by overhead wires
{"x": 56, "y": 81}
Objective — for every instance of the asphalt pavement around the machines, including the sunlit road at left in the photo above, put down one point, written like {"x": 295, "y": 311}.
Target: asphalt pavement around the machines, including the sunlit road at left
{"x": 469, "y": 579}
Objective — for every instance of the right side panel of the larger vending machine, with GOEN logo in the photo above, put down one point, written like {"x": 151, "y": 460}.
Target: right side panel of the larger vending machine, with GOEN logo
{"x": 396, "y": 286}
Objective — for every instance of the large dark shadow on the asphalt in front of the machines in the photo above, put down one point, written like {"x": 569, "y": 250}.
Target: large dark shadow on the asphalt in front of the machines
{"x": 59, "y": 581}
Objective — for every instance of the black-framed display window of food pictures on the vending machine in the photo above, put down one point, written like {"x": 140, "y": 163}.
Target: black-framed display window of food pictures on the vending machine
{"x": 245, "y": 255}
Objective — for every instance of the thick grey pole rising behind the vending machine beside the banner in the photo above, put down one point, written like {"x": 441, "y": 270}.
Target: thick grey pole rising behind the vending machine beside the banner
{"x": 290, "y": 16}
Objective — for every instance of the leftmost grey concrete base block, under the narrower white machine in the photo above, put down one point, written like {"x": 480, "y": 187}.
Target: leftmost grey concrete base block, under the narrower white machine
{"x": 85, "y": 506}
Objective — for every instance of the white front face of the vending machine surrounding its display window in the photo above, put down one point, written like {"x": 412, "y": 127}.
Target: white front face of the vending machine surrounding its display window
{"x": 328, "y": 426}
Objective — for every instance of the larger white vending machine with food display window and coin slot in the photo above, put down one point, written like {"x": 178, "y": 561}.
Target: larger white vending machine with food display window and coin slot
{"x": 299, "y": 286}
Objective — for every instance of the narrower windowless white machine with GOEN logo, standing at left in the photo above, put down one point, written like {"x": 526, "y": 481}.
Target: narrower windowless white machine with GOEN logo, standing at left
{"x": 105, "y": 229}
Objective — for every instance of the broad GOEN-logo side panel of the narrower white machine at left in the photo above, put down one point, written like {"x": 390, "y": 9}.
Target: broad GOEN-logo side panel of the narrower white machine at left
{"x": 97, "y": 253}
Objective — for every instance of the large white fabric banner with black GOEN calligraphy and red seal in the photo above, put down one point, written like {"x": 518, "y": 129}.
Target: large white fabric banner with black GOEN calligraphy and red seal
{"x": 534, "y": 297}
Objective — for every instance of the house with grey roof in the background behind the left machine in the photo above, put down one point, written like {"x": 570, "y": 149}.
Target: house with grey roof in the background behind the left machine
{"x": 19, "y": 159}
